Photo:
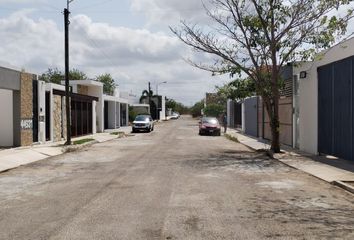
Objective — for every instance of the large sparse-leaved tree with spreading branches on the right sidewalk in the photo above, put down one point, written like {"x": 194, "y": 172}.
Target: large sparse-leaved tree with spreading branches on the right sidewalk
{"x": 258, "y": 37}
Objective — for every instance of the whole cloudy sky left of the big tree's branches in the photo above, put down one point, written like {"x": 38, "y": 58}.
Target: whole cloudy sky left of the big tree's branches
{"x": 130, "y": 39}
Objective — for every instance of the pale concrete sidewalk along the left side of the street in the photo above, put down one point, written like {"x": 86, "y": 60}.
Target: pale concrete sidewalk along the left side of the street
{"x": 15, "y": 157}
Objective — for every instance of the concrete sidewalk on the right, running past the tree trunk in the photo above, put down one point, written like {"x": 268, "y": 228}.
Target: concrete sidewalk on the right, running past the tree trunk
{"x": 329, "y": 169}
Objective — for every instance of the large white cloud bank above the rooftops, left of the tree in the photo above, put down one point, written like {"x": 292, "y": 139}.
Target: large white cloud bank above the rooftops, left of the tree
{"x": 133, "y": 56}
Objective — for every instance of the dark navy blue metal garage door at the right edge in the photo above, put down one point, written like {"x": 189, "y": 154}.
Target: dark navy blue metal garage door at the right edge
{"x": 335, "y": 109}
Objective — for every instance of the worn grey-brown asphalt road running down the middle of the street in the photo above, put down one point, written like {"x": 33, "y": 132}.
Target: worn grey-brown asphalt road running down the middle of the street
{"x": 170, "y": 184}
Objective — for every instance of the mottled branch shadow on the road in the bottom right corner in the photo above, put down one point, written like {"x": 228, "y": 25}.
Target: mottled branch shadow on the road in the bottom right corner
{"x": 309, "y": 211}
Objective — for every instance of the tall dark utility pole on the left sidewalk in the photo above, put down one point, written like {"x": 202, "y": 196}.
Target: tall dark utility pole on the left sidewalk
{"x": 67, "y": 86}
